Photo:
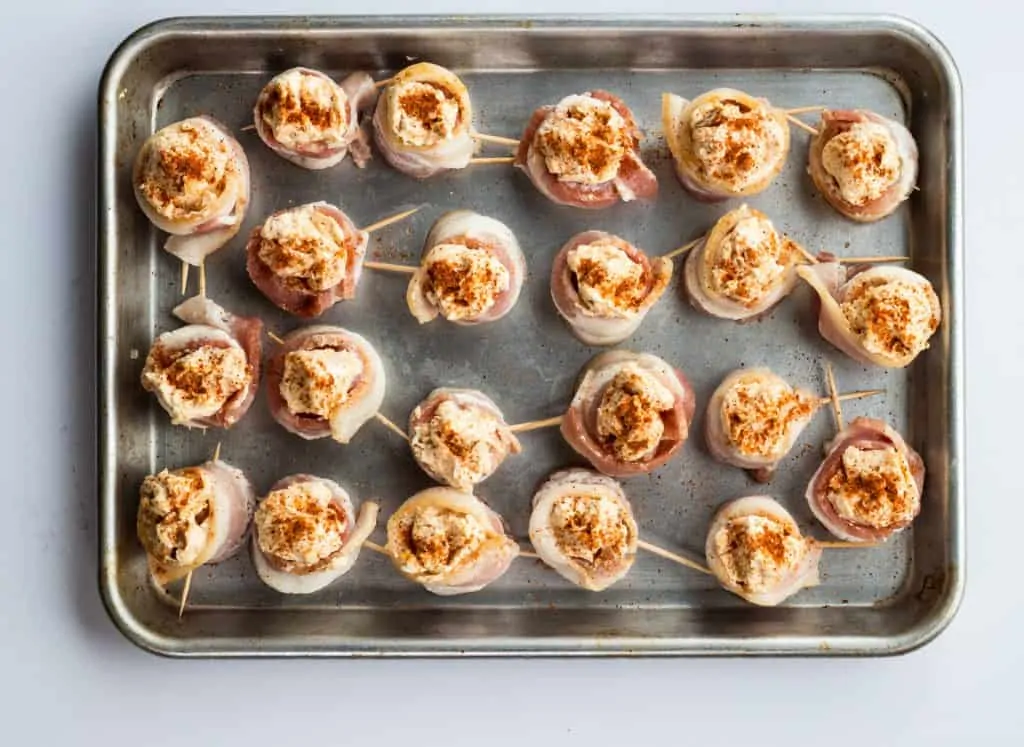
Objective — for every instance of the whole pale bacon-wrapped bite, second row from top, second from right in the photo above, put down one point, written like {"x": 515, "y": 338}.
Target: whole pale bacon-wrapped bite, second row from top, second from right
{"x": 743, "y": 268}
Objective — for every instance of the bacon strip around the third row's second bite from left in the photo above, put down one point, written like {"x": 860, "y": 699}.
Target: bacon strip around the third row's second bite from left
{"x": 365, "y": 398}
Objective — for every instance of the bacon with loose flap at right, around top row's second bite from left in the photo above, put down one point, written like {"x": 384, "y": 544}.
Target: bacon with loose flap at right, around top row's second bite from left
{"x": 361, "y": 95}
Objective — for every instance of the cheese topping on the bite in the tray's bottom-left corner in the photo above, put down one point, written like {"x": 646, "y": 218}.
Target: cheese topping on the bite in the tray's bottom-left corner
{"x": 176, "y": 516}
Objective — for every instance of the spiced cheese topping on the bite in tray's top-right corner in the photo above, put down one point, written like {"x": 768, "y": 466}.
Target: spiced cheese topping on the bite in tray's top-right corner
{"x": 864, "y": 161}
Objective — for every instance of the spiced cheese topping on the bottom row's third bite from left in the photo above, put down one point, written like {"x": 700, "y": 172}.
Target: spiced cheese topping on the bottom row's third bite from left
{"x": 439, "y": 541}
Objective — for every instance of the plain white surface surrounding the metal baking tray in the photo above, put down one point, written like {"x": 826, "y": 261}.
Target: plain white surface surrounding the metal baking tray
{"x": 67, "y": 675}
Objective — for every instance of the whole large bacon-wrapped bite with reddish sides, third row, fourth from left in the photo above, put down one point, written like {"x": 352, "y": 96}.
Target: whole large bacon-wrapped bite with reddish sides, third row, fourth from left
{"x": 631, "y": 413}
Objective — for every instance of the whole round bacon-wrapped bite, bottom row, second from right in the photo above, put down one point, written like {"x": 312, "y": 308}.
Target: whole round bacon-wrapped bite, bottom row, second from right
{"x": 583, "y": 527}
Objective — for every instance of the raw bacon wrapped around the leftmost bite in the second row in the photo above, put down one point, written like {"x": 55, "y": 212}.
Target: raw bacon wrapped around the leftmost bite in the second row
{"x": 290, "y": 295}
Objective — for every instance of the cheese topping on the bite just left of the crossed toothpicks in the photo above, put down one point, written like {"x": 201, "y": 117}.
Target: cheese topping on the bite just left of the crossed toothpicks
{"x": 760, "y": 413}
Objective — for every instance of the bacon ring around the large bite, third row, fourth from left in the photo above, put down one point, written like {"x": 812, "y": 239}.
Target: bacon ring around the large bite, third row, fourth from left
{"x": 579, "y": 426}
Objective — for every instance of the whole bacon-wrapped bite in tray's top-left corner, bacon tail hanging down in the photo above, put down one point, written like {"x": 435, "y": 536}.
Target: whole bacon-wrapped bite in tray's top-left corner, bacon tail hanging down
{"x": 192, "y": 181}
